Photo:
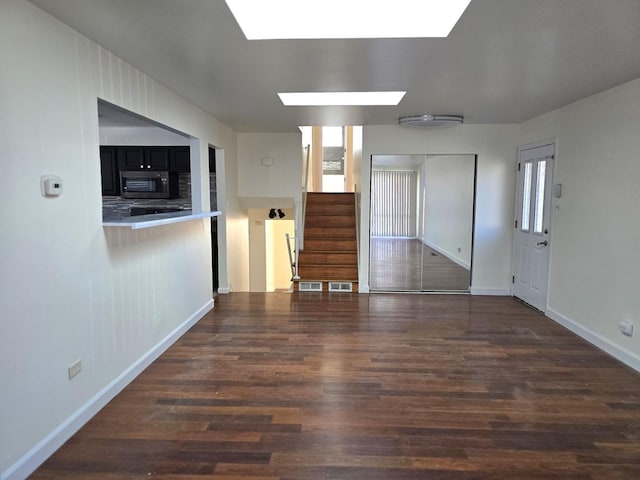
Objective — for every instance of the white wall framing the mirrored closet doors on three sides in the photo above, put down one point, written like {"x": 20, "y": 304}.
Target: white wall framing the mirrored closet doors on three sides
{"x": 496, "y": 147}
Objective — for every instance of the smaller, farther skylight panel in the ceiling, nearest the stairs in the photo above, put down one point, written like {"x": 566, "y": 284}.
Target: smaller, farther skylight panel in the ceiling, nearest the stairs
{"x": 341, "y": 98}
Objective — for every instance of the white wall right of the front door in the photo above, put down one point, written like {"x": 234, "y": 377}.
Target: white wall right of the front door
{"x": 595, "y": 235}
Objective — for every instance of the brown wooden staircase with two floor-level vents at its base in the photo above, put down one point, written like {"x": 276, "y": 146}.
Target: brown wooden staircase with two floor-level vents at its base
{"x": 330, "y": 253}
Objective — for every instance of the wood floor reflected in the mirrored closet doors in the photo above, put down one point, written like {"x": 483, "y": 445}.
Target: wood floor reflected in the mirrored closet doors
{"x": 408, "y": 265}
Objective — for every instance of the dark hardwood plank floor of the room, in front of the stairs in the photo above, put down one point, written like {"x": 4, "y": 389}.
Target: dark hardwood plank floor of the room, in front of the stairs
{"x": 367, "y": 387}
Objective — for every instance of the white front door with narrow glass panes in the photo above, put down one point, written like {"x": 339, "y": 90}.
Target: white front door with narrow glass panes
{"x": 532, "y": 225}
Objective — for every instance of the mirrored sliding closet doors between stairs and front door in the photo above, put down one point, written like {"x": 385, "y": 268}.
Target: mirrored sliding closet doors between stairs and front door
{"x": 421, "y": 222}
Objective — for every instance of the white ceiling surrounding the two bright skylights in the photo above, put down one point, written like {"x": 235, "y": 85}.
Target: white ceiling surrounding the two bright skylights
{"x": 506, "y": 61}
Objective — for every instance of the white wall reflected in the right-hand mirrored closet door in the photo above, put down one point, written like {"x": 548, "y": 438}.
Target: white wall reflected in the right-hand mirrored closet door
{"x": 447, "y": 196}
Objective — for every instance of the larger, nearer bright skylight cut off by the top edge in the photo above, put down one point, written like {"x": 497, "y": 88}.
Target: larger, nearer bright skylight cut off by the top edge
{"x": 298, "y": 19}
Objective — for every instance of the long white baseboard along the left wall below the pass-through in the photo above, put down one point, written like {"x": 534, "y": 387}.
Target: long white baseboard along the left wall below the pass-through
{"x": 48, "y": 445}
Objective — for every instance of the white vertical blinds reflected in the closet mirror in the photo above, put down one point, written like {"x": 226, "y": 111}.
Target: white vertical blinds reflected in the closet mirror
{"x": 393, "y": 203}
